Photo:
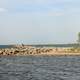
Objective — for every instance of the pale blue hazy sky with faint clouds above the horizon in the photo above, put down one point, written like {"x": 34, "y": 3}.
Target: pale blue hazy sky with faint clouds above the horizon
{"x": 39, "y": 21}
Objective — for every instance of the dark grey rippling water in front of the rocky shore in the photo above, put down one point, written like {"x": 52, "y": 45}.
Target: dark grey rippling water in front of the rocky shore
{"x": 40, "y": 68}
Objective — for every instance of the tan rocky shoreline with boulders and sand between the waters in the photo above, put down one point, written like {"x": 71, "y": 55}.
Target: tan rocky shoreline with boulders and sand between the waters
{"x": 21, "y": 50}
